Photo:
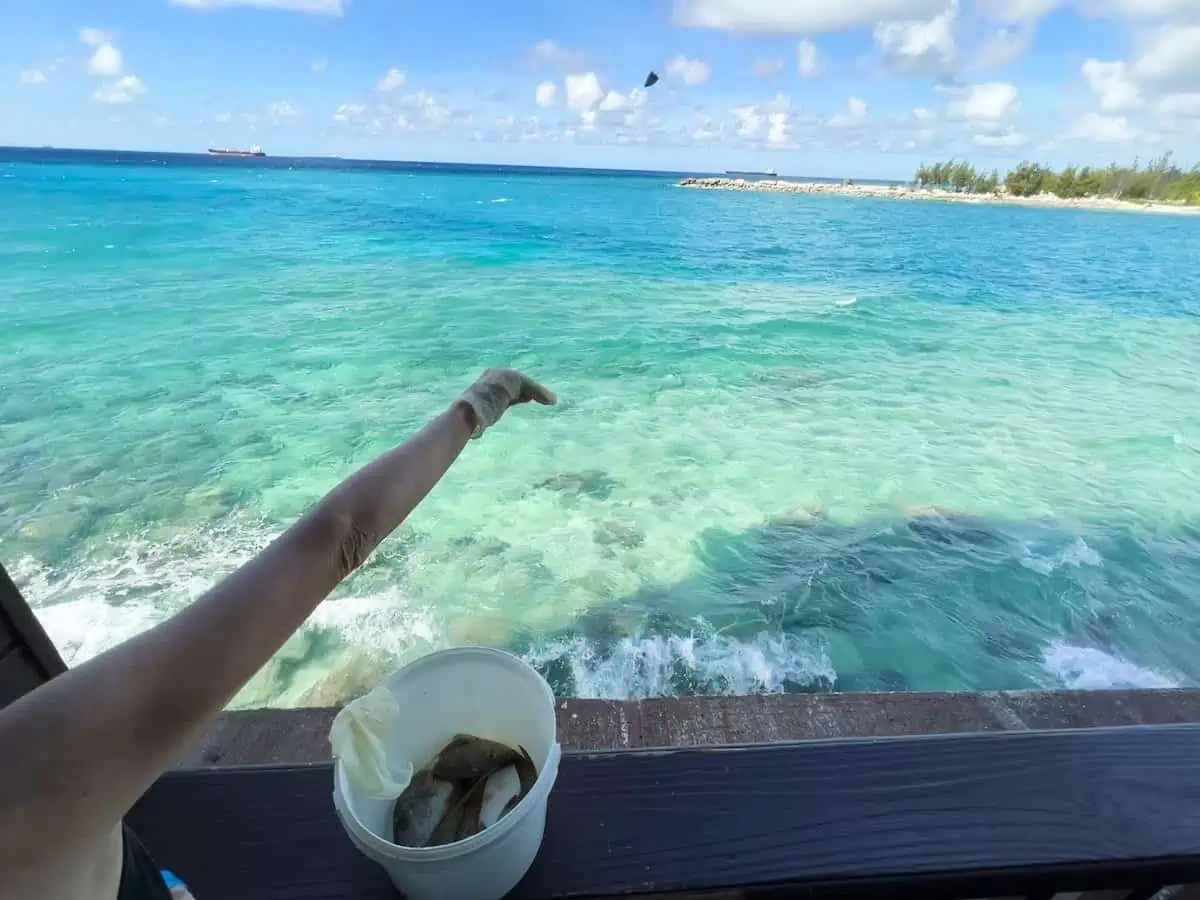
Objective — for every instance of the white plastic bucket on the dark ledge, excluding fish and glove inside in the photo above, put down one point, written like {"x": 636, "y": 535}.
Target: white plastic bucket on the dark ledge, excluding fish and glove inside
{"x": 475, "y": 691}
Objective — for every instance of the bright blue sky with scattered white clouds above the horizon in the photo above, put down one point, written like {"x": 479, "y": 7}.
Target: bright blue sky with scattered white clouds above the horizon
{"x": 831, "y": 88}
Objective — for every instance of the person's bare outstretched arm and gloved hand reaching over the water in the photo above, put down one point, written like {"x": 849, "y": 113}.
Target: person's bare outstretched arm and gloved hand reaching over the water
{"x": 82, "y": 749}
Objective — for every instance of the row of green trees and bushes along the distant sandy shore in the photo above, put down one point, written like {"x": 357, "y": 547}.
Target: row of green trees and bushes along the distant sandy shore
{"x": 1161, "y": 181}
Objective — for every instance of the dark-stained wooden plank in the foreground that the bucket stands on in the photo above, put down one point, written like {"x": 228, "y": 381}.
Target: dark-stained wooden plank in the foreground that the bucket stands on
{"x": 1100, "y": 808}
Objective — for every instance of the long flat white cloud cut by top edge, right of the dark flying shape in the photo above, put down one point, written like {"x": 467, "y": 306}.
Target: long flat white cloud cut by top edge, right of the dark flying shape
{"x": 799, "y": 16}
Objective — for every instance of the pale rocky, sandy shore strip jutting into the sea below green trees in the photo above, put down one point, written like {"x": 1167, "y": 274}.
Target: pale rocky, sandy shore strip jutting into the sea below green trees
{"x": 909, "y": 193}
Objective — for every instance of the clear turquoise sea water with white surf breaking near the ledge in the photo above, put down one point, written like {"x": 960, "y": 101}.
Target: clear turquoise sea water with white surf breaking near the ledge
{"x": 806, "y": 443}
